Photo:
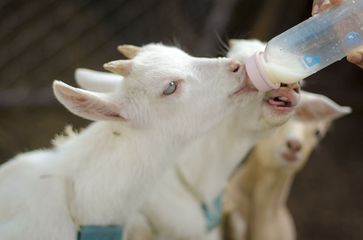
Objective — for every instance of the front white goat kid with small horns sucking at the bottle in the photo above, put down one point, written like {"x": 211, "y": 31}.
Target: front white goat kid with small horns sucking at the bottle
{"x": 101, "y": 176}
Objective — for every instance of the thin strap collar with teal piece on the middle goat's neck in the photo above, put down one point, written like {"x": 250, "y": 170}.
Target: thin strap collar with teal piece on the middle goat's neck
{"x": 213, "y": 212}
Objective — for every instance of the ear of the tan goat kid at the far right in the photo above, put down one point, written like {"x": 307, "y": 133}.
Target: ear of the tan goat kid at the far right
{"x": 316, "y": 107}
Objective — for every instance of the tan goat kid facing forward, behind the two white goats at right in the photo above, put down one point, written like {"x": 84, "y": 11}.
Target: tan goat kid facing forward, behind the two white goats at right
{"x": 255, "y": 200}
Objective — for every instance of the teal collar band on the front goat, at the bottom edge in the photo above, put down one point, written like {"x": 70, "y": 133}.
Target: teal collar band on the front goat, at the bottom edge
{"x": 100, "y": 233}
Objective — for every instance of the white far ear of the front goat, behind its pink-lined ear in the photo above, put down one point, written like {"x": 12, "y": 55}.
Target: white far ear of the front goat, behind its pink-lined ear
{"x": 97, "y": 81}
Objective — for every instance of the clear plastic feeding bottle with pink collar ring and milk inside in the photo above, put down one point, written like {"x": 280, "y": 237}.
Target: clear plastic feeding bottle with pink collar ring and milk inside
{"x": 308, "y": 47}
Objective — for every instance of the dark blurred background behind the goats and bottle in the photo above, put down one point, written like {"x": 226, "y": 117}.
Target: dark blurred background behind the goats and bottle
{"x": 44, "y": 40}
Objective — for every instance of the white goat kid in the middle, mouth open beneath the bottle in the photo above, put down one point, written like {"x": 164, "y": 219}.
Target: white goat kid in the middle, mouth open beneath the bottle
{"x": 185, "y": 205}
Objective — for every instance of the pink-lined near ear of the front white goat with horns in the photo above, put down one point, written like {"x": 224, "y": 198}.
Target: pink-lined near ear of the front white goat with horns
{"x": 87, "y": 104}
